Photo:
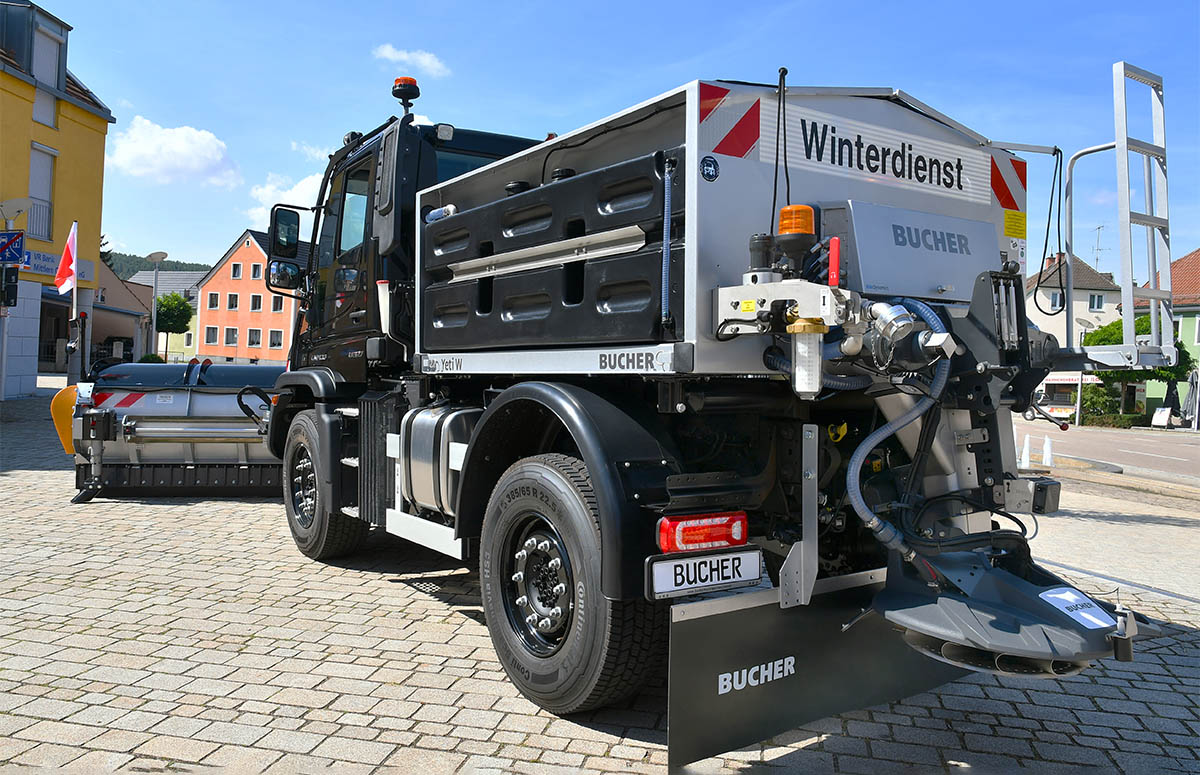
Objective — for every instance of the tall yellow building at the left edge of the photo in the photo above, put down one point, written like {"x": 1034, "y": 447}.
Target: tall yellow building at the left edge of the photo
{"x": 52, "y": 151}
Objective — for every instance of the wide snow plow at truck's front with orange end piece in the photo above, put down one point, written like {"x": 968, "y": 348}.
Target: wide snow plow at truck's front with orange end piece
{"x": 170, "y": 429}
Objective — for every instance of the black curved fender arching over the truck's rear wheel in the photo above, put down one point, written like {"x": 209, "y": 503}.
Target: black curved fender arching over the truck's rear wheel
{"x": 614, "y": 447}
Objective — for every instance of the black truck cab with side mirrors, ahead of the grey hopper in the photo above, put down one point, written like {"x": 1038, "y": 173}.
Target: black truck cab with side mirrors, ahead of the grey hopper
{"x": 364, "y": 236}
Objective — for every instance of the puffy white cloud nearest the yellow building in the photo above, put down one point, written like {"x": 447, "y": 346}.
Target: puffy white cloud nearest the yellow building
{"x": 167, "y": 155}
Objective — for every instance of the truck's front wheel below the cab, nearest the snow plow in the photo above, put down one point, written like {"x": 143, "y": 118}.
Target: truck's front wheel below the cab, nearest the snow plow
{"x": 320, "y": 531}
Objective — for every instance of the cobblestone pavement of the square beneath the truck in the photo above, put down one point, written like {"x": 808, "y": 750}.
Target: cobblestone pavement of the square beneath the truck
{"x": 185, "y": 635}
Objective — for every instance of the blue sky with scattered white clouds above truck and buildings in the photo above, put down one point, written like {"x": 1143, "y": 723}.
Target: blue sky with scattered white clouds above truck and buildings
{"x": 225, "y": 109}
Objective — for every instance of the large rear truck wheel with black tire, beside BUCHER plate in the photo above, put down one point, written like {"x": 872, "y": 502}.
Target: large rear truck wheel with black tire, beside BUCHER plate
{"x": 562, "y": 644}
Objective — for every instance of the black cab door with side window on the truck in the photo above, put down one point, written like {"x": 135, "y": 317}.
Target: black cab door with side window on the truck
{"x": 340, "y": 317}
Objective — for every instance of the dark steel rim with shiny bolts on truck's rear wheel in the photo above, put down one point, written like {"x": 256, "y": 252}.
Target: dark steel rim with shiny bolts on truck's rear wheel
{"x": 538, "y": 591}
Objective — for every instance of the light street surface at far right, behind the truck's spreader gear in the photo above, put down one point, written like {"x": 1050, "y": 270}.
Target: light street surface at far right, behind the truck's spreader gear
{"x": 1137, "y": 450}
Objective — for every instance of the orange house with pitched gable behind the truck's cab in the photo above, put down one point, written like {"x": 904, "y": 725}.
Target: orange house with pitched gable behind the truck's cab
{"x": 238, "y": 320}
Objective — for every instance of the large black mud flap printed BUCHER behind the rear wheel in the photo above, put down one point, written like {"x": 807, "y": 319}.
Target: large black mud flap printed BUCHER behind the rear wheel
{"x": 745, "y": 670}
